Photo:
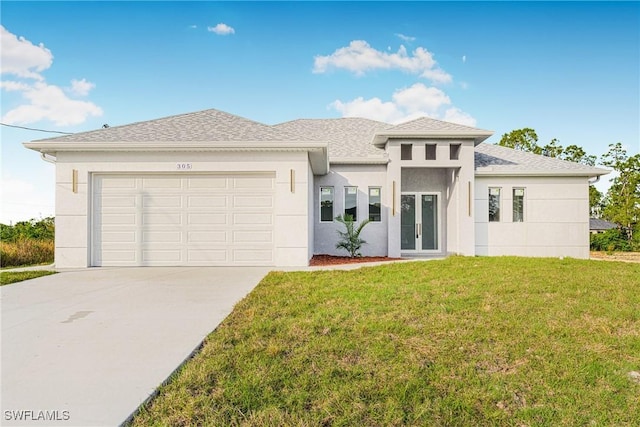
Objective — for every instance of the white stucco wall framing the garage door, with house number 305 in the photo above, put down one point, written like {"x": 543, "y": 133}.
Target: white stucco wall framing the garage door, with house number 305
{"x": 73, "y": 210}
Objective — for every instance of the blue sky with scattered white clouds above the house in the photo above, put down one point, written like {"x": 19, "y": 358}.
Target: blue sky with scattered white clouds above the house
{"x": 570, "y": 70}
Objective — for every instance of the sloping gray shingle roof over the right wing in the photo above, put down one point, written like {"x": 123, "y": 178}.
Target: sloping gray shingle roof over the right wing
{"x": 497, "y": 160}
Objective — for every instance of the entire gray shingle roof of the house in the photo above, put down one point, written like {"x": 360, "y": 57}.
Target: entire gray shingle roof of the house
{"x": 346, "y": 138}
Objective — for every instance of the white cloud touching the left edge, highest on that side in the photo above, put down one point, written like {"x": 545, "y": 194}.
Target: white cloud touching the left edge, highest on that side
{"x": 22, "y": 58}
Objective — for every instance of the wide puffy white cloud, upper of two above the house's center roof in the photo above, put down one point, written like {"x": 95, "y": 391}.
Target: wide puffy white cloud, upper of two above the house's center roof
{"x": 359, "y": 57}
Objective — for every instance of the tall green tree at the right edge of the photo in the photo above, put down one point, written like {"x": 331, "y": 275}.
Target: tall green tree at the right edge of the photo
{"x": 622, "y": 202}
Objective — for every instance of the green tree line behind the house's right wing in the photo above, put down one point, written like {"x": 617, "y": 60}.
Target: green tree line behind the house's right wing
{"x": 620, "y": 204}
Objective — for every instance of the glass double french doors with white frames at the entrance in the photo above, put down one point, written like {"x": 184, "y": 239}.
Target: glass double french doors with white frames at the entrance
{"x": 419, "y": 222}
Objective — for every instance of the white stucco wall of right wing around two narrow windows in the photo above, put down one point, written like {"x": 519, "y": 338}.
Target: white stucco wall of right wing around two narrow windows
{"x": 556, "y": 217}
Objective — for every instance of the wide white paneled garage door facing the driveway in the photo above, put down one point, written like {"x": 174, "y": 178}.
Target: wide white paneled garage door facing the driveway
{"x": 176, "y": 220}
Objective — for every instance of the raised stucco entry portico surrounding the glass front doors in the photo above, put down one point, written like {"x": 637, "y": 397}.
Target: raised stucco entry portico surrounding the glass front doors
{"x": 457, "y": 188}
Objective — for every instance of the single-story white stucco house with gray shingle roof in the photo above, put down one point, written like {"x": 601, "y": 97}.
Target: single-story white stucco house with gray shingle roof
{"x": 212, "y": 188}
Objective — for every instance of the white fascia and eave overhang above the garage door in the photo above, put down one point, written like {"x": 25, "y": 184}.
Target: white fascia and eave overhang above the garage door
{"x": 318, "y": 151}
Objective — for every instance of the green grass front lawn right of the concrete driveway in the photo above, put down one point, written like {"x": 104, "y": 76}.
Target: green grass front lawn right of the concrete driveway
{"x": 458, "y": 342}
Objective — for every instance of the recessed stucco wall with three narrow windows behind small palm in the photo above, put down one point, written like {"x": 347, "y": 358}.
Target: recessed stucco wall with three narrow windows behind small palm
{"x": 363, "y": 177}
